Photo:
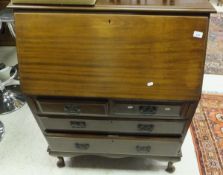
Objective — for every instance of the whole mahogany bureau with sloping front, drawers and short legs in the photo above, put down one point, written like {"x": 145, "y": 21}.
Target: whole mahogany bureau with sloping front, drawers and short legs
{"x": 121, "y": 78}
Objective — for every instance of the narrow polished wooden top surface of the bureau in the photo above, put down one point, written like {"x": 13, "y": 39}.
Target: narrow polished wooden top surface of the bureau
{"x": 189, "y": 6}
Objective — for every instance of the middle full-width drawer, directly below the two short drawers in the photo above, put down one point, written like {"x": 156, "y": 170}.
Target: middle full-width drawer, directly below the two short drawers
{"x": 114, "y": 126}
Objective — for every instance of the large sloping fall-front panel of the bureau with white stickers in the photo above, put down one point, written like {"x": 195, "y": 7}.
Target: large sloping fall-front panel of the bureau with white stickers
{"x": 111, "y": 55}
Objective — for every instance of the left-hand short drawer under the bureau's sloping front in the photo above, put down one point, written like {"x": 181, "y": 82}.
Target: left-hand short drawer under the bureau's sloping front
{"x": 71, "y": 107}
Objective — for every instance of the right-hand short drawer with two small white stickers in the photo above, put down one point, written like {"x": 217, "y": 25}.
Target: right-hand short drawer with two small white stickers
{"x": 147, "y": 109}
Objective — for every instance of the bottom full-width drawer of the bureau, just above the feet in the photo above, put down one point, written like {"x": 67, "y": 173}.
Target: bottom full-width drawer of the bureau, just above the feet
{"x": 116, "y": 145}
